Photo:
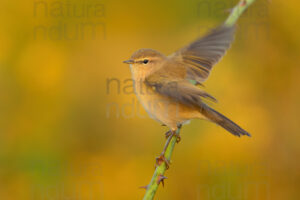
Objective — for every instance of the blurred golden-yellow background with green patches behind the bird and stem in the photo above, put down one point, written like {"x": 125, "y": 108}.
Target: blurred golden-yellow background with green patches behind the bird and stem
{"x": 71, "y": 127}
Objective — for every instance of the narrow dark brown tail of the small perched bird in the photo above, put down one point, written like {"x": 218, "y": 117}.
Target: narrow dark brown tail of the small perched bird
{"x": 223, "y": 121}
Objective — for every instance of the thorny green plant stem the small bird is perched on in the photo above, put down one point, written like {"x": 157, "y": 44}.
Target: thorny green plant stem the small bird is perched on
{"x": 161, "y": 169}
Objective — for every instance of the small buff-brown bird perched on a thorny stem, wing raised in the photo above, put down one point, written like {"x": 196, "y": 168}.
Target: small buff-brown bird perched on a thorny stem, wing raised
{"x": 167, "y": 85}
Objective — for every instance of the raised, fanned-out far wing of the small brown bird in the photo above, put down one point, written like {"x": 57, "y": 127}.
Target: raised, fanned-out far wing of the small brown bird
{"x": 200, "y": 56}
